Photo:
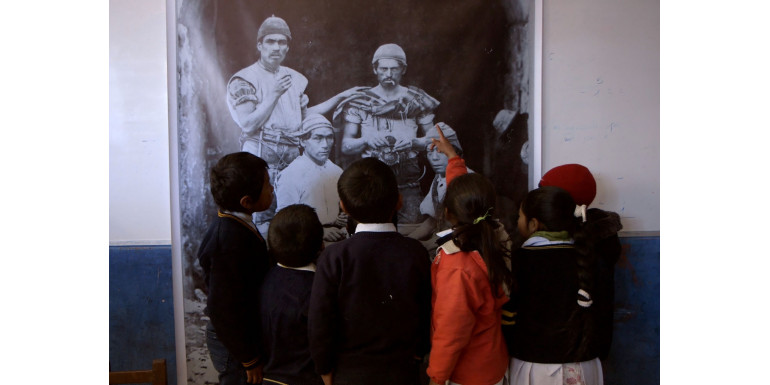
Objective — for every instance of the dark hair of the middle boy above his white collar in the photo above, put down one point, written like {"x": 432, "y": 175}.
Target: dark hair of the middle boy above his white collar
{"x": 369, "y": 191}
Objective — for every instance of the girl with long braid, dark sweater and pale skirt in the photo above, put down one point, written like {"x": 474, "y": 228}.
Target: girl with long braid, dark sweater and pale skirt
{"x": 556, "y": 283}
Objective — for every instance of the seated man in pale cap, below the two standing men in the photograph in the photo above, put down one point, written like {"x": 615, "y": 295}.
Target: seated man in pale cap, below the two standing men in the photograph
{"x": 312, "y": 178}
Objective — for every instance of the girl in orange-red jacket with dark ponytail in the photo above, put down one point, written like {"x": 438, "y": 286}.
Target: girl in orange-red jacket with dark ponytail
{"x": 470, "y": 277}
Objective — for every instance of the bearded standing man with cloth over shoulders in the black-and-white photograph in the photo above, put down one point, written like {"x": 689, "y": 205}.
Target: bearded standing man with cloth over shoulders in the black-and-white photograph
{"x": 389, "y": 122}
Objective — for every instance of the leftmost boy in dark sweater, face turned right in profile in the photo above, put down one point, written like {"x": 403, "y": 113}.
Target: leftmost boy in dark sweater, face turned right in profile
{"x": 233, "y": 256}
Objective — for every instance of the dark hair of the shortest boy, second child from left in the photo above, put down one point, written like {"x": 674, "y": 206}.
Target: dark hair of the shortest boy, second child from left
{"x": 295, "y": 236}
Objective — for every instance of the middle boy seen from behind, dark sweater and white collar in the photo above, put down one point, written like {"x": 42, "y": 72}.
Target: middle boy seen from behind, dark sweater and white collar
{"x": 369, "y": 320}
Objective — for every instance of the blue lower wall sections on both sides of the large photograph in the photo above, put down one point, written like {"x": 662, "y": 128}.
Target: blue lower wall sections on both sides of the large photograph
{"x": 142, "y": 315}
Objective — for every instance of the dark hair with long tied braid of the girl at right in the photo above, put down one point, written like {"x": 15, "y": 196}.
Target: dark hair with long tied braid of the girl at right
{"x": 555, "y": 209}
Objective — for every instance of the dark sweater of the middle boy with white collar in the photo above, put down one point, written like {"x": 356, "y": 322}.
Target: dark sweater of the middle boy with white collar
{"x": 370, "y": 304}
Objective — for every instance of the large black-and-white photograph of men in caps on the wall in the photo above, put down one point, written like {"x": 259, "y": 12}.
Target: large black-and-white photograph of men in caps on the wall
{"x": 311, "y": 86}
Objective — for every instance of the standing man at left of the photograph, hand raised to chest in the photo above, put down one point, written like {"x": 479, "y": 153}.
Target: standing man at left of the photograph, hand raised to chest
{"x": 268, "y": 102}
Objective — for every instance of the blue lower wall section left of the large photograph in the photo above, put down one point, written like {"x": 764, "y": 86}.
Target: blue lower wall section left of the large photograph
{"x": 141, "y": 309}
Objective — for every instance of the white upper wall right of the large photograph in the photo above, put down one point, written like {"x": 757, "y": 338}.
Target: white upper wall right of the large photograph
{"x": 601, "y": 100}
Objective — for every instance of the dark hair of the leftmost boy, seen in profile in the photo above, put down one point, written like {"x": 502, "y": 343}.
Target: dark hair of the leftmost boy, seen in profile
{"x": 234, "y": 176}
